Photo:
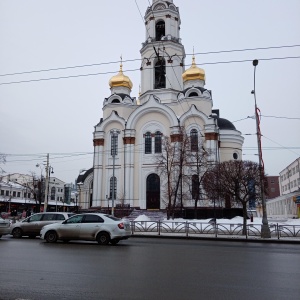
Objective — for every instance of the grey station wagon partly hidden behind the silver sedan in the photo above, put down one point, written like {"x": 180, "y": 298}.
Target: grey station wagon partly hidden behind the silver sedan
{"x": 32, "y": 225}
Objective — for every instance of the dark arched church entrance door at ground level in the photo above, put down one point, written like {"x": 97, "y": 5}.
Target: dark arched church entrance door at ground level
{"x": 153, "y": 192}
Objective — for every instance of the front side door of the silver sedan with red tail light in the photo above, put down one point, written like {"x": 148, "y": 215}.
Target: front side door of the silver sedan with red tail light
{"x": 70, "y": 229}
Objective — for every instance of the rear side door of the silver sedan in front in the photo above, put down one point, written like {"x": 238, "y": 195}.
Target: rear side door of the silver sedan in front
{"x": 90, "y": 226}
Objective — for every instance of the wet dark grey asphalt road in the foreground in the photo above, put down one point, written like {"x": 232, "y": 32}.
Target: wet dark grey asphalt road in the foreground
{"x": 147, "y": 268}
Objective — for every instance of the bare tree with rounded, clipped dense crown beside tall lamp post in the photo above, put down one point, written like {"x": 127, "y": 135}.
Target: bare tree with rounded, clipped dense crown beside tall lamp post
{"x": 238, "y": 179}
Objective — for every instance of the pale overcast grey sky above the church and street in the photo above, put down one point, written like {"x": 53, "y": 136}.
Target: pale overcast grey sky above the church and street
{"x": 79, "y": 43}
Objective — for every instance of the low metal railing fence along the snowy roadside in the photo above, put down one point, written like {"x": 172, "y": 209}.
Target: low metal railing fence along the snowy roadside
{"x": 198, "y": 229}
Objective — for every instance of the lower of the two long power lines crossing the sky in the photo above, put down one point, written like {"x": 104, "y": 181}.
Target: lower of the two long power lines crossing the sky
{"x": 132, "y": 70}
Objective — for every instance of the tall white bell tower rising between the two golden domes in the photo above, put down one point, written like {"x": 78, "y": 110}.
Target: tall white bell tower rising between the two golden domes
{"x": 162, "y": 53}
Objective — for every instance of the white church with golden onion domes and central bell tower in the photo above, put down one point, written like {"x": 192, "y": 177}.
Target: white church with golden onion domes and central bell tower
{"x": 129, "y": 136}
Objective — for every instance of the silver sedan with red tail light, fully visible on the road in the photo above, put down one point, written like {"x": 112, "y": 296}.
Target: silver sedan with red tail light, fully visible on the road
{"x": 99, "y": 227}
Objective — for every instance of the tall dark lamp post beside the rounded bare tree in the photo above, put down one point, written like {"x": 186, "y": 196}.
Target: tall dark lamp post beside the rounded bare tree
{"x": 265, "y": 230}
